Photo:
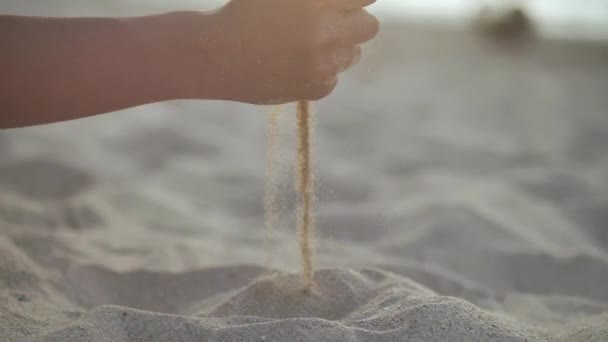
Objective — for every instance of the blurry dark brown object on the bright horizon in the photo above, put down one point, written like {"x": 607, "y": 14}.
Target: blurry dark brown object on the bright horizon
{"x": 510, "y": 27}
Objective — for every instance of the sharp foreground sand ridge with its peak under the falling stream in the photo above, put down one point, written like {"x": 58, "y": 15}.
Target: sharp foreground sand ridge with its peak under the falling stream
{"x": 346, "y": 305}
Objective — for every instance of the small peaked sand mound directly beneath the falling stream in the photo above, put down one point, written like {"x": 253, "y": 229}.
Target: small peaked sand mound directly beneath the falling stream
{"x": 337, "y": 293}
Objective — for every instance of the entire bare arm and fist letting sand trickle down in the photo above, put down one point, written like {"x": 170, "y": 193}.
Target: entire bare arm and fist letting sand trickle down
{"x": 254, "y": 51}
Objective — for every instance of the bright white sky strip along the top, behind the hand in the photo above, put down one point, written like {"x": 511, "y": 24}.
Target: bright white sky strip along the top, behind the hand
{"x": 586, "y": 19}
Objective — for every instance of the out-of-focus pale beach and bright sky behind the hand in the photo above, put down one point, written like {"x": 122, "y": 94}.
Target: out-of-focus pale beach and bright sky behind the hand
{"x": 466, "y": 123}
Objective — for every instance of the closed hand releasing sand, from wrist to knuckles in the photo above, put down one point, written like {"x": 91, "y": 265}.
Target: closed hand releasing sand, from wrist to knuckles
{"x": 278, "y": 51}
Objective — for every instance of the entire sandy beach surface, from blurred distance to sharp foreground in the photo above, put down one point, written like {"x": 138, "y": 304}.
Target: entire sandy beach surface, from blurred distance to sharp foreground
{"x": 463, "y": 196}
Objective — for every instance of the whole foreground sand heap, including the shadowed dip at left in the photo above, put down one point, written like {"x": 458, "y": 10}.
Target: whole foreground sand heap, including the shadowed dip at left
{"x": 345, "y": 305}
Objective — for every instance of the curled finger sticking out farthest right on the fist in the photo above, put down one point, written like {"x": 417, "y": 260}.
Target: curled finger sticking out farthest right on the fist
{"x": 347, "y": 29}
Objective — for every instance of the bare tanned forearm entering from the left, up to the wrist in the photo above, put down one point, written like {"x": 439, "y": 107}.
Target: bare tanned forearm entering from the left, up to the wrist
{"x": 56, "y": 69}
